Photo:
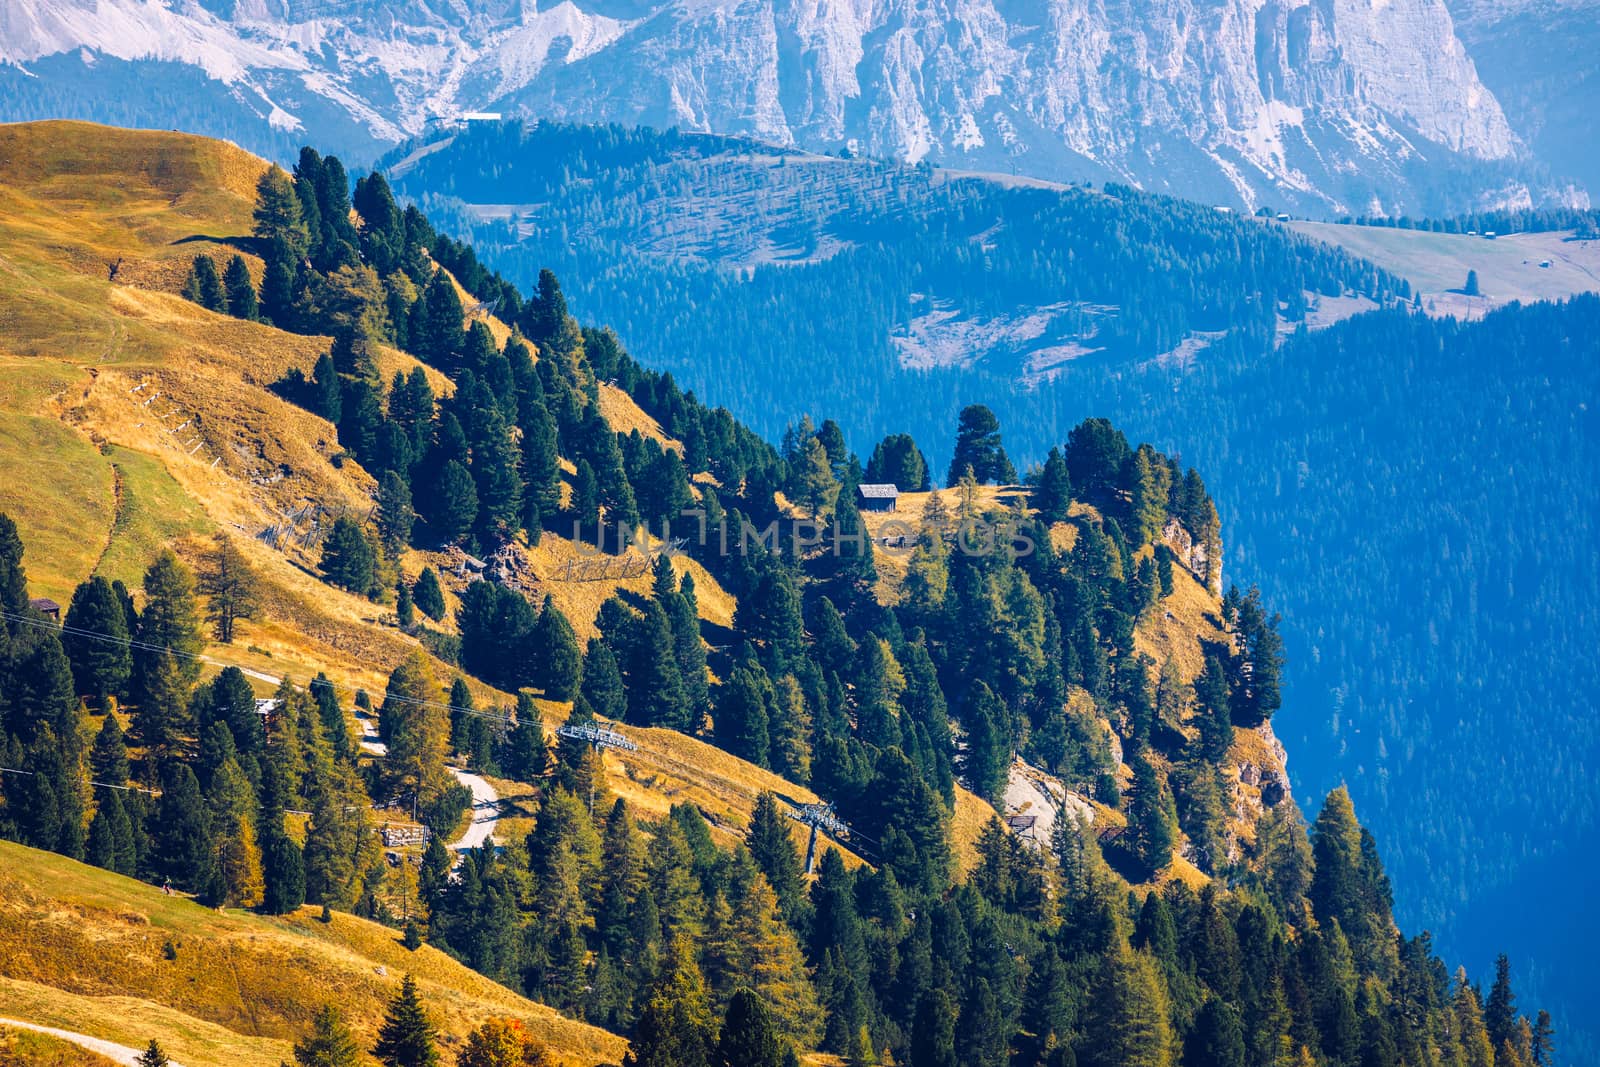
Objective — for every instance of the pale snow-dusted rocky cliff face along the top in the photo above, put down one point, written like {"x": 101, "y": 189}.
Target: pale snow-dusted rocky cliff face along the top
{"x": 1329, "y": 106}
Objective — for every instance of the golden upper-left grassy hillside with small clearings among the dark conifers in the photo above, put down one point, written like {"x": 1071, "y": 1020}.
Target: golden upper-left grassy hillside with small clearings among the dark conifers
{"x": 82, "y": 362}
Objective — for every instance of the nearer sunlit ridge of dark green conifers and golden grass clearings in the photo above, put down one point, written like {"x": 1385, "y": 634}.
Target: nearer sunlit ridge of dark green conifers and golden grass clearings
{"x": 881, "y": 671}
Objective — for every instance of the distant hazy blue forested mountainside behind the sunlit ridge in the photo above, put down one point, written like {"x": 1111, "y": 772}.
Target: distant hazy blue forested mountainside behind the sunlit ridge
{"x": 1290, "y": 417}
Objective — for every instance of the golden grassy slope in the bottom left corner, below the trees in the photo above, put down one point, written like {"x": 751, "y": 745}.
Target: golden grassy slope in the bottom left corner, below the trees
{"x": 82, "y": 949}
